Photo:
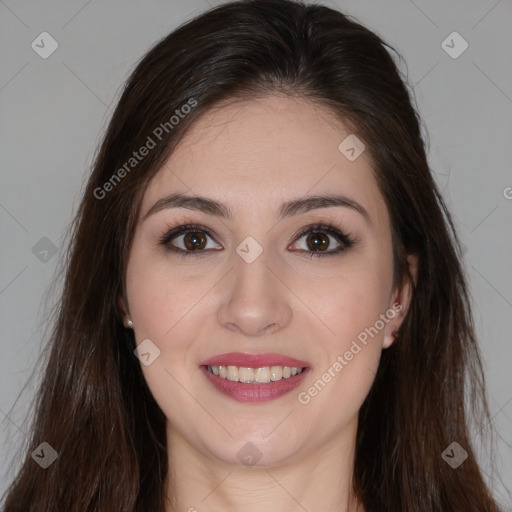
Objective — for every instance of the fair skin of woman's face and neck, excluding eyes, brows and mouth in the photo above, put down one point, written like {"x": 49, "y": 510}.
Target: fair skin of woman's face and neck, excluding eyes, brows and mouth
{"x": 252, "y": 156}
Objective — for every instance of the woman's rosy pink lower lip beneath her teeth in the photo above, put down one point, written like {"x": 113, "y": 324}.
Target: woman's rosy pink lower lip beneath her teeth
{"x": 243, "y": 392}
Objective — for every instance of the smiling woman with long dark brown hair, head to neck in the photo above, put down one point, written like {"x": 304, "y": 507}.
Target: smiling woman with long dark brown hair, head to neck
{"x": 264, "y": 307}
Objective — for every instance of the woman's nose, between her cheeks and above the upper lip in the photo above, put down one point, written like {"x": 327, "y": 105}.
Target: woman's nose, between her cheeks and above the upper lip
{"x": 254, "y": 300}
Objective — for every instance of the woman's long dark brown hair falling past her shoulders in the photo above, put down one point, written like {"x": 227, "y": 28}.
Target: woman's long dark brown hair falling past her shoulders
{"x": 94, "y": 407}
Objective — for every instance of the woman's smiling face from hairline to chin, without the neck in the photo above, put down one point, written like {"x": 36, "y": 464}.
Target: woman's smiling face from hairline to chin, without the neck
{"x": 265, "y": 289}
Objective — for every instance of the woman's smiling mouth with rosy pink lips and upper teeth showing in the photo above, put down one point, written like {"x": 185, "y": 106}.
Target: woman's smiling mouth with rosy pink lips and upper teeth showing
{"x": 254, "y": 378}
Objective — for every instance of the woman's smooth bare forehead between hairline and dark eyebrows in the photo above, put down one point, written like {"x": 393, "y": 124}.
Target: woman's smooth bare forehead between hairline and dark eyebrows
{"x": 254, "y": 154}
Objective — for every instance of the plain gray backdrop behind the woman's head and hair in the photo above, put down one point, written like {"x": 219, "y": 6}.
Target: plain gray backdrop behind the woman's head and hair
{"x": 54, "y": 112}
